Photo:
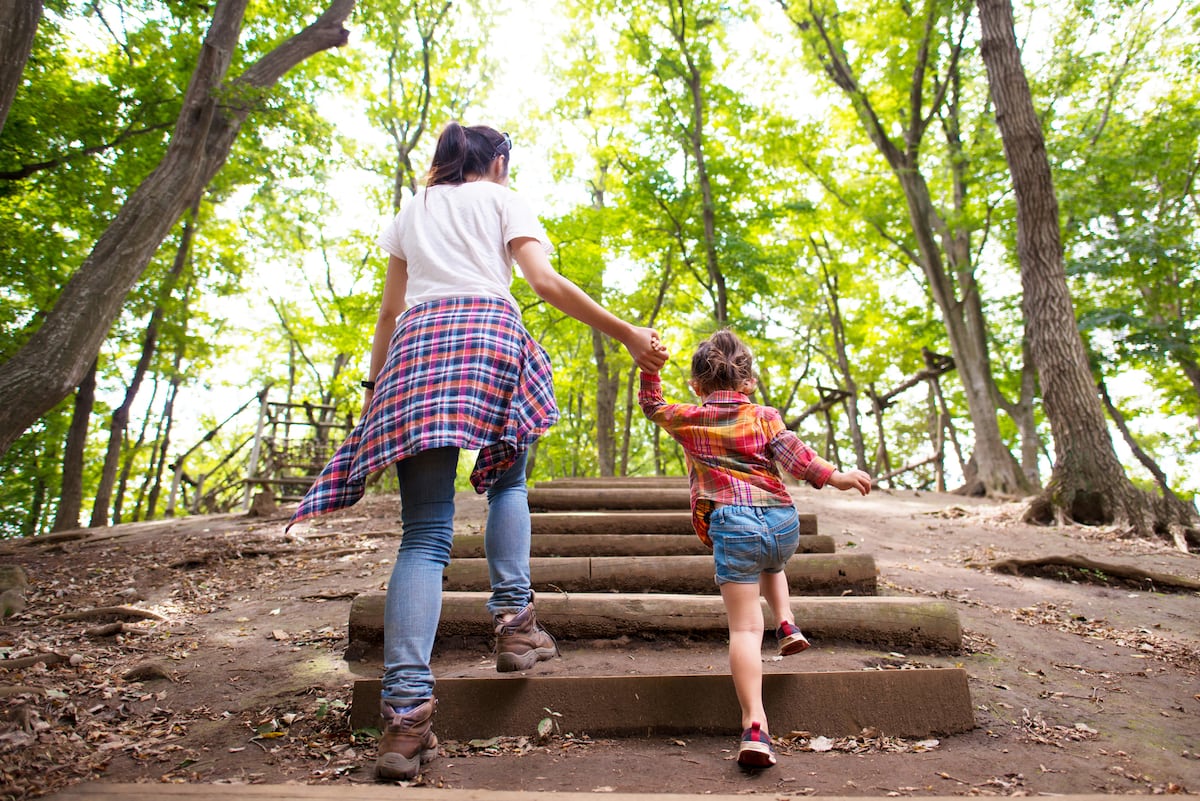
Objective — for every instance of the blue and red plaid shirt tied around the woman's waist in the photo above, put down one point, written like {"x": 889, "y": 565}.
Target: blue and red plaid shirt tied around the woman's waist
{"x": 461, "y": 372}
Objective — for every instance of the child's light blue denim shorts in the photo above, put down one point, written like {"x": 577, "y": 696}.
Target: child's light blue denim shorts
{"x": 753, "y": 540}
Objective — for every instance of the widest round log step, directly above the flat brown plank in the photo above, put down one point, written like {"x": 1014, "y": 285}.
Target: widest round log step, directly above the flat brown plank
{"x": 928, "y": 624}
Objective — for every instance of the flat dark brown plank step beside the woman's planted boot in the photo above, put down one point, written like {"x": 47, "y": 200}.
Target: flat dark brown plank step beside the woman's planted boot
{"x": 915, "y": 703}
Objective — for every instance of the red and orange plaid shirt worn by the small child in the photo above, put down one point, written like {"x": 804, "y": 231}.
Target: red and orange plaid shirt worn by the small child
{"x": 733, "y": 448}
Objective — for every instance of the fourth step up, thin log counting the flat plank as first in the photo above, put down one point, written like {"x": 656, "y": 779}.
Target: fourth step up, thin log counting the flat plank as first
{"x": 471, "y": 546}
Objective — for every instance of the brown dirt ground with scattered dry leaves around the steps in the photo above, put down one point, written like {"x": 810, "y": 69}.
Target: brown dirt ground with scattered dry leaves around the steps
{"x": 1081, "y": 683}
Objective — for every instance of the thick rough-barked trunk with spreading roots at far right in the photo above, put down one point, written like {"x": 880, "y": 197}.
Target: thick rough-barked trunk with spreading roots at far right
{"x": 1089, "y": 484}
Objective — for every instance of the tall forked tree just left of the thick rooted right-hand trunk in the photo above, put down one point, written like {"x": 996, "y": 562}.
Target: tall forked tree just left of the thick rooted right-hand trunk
{"x": 897, "y": 118}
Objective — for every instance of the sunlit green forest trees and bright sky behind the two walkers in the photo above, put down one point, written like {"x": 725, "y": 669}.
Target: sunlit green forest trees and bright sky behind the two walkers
{"x": 190, "y": 198}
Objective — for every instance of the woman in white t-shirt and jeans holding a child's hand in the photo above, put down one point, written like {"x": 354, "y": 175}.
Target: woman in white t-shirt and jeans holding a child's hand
{"x": 453, "y": 368}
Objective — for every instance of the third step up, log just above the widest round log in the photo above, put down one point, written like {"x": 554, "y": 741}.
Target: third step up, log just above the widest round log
{"x": 807, "y": 575}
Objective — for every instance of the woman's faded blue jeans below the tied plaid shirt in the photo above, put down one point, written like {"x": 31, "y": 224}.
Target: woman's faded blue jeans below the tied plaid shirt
{"x": 415, "y": 592}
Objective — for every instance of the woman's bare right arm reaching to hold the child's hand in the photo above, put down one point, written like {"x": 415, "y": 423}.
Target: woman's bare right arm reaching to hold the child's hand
{"x": 561, "y": 293}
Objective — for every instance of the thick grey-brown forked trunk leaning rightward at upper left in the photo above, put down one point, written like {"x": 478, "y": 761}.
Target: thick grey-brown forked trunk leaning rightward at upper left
{"x": 53, "y": 362}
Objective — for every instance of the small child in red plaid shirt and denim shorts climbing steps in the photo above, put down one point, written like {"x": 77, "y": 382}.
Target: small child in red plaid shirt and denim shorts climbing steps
{"x": 742, "y": 510}
